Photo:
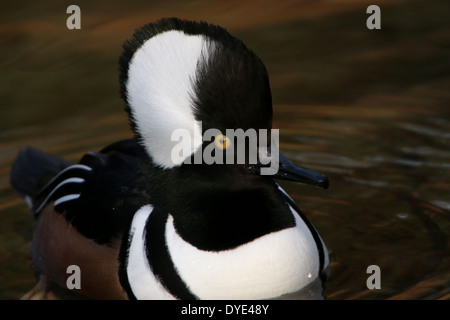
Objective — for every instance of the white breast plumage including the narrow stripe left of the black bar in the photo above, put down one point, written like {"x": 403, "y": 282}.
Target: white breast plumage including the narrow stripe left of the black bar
{"x": 267, "y": 267}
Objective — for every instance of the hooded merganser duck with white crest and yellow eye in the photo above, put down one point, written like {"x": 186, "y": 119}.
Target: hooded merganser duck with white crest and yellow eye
{"x": 140, "y": 223}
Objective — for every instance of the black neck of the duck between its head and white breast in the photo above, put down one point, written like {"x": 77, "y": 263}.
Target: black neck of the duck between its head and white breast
{"x": 218, "y": 208}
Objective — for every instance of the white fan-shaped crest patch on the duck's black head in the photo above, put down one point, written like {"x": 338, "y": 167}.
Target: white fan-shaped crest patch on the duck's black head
{"x": 161, "y": 88}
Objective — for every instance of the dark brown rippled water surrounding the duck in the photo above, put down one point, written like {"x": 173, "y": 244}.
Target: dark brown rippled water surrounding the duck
{"x": 370, "y": 109}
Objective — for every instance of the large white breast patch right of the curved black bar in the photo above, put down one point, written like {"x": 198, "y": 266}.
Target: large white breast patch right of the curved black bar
{"x": 267, "y": 267}
